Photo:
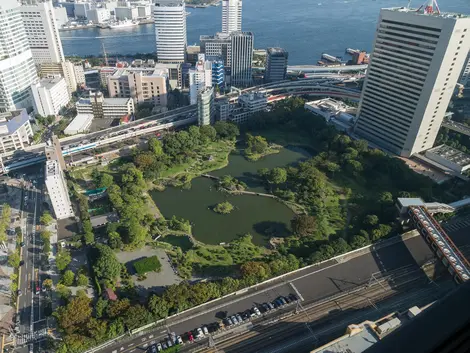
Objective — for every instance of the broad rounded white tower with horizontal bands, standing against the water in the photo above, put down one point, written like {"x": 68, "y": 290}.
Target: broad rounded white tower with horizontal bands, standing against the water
{"x": 170, "y": 30}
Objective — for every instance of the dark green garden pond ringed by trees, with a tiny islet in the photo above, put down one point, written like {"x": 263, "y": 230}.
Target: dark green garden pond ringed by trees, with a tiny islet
{"x": 260, "y": 216}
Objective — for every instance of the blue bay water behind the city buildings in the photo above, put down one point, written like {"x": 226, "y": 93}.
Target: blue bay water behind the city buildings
{"x": 306, "y": 28}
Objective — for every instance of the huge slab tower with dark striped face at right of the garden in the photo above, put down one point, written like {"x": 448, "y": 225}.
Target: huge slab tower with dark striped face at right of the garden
{"x": 417, "y": 58}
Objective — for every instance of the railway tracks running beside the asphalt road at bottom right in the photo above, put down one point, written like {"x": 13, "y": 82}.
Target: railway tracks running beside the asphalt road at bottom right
{"x": 312, "y": 316}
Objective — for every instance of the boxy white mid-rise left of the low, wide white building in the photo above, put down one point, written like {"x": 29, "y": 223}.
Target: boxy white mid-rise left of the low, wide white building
{"x": 50, "y": 95}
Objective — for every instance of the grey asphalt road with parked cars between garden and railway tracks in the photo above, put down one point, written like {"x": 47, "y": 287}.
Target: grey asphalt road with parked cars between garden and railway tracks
{"x": 312, "y": 284}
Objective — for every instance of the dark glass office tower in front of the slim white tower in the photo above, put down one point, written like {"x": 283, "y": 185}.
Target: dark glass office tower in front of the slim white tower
{"x": 242, "y": 56}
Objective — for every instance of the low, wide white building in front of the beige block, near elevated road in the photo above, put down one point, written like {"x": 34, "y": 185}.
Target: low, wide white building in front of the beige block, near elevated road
{"x": 101, "y": 107}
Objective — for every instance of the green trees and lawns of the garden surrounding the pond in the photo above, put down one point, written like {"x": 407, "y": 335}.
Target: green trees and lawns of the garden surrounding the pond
{"x": 346, "y": 192}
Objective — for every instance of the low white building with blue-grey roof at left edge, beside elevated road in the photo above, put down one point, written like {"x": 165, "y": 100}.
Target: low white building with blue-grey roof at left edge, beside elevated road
{"x": 15, "y": 131}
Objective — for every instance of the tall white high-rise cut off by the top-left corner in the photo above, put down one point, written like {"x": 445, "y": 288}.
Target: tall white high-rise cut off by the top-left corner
{"x": 17, "y": 70}
